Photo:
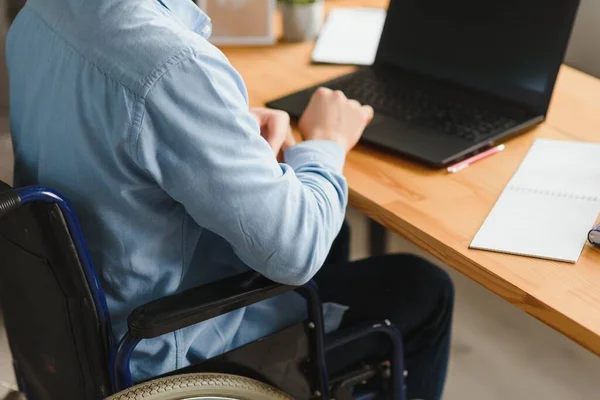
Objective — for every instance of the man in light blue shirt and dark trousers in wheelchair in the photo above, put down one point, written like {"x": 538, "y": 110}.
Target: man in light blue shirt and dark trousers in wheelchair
{"x": 125, "y": 108}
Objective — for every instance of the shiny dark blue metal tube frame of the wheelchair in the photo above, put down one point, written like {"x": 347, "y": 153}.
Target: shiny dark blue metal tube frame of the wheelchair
{"x": 120, "y": 356}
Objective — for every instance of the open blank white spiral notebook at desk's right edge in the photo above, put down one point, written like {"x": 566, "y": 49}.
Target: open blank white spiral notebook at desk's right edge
{"x": 549, "y": 205}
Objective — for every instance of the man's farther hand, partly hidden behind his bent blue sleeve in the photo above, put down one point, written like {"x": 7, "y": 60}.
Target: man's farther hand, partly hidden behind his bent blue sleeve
{"x": 275, "y": 129}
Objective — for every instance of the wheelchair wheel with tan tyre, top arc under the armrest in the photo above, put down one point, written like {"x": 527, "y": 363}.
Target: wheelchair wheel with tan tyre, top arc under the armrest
{"x": 202, "y": 386}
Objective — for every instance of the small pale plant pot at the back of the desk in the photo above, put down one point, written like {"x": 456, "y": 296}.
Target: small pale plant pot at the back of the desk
{"x": 302, "y": 21}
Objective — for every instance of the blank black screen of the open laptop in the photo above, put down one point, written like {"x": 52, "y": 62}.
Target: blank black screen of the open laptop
{"x": 510, "y": 48}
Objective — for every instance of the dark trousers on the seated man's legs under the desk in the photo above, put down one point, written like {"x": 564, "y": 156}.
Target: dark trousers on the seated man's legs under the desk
{"x": 416, "y": 296}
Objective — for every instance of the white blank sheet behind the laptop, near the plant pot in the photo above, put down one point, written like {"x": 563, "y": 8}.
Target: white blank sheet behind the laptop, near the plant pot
{"x": 350, "y": 36}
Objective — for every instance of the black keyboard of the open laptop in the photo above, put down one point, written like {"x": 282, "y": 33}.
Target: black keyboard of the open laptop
{"x": 449, "y": 111}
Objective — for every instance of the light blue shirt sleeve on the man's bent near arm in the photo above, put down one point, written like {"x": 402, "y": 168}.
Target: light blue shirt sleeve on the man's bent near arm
{"x": 200, "y": 143}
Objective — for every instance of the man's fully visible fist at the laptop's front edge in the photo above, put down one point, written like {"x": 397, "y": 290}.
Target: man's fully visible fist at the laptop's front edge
{"x": 331, "y": 116}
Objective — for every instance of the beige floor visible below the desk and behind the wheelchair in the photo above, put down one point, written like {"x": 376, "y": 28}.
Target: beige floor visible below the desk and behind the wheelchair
{"x": 498, "y": 352}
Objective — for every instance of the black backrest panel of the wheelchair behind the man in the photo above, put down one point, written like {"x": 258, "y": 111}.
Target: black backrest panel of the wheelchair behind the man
{"x": 58, "y": 335}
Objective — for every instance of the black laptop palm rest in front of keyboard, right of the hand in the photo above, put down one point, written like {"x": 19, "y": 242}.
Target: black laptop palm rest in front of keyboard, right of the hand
{"x": 423, "y": 144}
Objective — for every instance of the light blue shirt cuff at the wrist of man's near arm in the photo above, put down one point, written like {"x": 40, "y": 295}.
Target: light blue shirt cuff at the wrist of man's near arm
{"x": 325, "y": 152}
